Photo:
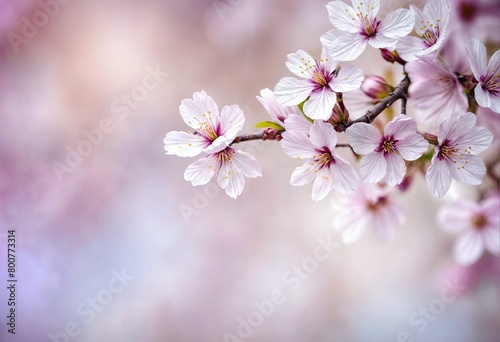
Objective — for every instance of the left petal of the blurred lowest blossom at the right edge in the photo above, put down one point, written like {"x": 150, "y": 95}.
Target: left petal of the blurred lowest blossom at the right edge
{"x": 457, "y": 217}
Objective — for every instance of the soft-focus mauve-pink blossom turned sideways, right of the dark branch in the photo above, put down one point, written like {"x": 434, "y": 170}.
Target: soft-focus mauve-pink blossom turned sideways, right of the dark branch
{"x": 435, "y": 90}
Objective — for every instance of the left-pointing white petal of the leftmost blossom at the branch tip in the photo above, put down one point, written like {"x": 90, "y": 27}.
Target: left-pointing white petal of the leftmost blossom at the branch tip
{"x": 184, "y": 144}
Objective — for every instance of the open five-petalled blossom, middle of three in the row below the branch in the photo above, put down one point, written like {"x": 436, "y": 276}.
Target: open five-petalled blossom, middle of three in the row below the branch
{"x": 385, "y": 153}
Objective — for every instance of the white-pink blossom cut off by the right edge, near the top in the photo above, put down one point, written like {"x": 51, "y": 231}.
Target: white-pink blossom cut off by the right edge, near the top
{"x": 487, "y": 92}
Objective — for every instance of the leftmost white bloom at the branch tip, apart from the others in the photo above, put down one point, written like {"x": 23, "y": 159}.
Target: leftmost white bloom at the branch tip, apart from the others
{"x": 214, "y": 133}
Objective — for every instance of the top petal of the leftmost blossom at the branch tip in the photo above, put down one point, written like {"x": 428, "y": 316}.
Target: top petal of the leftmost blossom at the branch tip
{"x": 201, "y": 109}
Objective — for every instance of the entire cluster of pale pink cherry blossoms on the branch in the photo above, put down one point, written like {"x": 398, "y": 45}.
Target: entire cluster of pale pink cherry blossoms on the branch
{"x": 448, "y": 81}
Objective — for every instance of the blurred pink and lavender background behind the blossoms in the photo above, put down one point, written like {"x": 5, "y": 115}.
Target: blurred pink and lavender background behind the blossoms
{"x": 114, "y": 245}
